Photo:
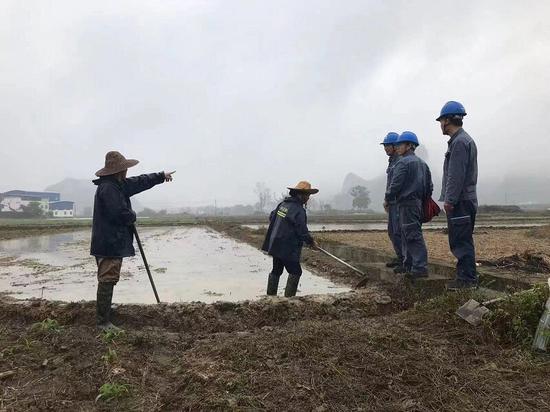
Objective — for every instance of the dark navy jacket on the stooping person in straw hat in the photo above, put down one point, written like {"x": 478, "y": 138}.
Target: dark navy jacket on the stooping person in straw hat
{"x": 287, "y": 231}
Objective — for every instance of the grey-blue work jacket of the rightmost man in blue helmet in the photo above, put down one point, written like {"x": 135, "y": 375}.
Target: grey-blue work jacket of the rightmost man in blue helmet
{"x": 460, "y": 169}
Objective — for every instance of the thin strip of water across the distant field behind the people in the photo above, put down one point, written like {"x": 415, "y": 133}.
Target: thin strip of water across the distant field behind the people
{"x": 331, "y": 227}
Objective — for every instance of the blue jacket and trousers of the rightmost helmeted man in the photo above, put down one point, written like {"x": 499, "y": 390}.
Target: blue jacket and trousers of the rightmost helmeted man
{"x": 459, "y": 189}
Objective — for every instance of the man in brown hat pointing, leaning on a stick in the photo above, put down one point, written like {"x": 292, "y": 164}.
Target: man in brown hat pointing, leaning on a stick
{"x": 112, "y": 227}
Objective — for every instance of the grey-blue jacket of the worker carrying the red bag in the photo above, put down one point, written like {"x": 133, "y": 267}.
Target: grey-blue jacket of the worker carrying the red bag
{"x": 411, "y": 181}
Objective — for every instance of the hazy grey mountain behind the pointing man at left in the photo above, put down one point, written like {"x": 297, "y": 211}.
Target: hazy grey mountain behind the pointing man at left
{"x": 81, "y": 191}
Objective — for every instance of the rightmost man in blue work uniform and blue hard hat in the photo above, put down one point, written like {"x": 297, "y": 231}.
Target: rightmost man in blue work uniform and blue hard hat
{"x": 459, "y": 193}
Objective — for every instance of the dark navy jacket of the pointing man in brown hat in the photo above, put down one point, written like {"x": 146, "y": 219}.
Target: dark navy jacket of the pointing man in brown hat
{"x": 112, "y": 232}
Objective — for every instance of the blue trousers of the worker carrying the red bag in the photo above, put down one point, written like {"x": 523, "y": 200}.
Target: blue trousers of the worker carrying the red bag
{"x": 415, "y": 254}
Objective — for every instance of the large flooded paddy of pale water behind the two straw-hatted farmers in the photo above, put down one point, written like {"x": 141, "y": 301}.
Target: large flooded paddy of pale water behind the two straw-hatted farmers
{"x": 187, "y": 264}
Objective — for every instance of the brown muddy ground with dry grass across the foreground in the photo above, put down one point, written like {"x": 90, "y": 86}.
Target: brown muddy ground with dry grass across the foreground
{"x": 383, "y": 348}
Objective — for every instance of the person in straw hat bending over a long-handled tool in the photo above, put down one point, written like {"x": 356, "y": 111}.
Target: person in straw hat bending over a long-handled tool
{"x": 285, "y": 237}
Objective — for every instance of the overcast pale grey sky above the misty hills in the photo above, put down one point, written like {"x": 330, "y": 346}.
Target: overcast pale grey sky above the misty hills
{"x": 229, "y": 93}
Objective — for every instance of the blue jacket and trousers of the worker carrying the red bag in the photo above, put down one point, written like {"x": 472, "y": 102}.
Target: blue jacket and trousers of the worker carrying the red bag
{"x": 411, "y": 183}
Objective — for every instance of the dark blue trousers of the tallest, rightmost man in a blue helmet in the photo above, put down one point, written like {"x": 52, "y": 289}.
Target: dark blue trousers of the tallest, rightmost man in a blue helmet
{"x": 461, "y": 224}
